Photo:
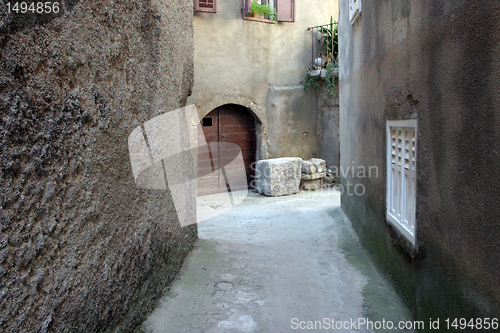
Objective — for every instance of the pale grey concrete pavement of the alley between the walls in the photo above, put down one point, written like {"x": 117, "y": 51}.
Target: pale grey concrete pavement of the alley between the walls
{"x": 272, "y": 265}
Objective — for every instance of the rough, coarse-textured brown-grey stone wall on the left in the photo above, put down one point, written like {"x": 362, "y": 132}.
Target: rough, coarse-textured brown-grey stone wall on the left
{"x": 82, "y": 249}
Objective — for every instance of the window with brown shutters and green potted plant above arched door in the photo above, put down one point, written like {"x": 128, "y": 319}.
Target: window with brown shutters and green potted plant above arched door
{"x": 284, "y": 10}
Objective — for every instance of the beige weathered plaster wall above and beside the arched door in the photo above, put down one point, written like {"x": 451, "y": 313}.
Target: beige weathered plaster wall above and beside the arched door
{"x": 260, "y": 66}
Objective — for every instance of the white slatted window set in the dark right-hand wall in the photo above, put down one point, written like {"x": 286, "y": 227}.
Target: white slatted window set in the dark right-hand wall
{"x": 402, "y": 176}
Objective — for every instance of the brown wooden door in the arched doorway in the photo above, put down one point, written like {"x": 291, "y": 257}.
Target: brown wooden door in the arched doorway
{"x": 230, "y": 123}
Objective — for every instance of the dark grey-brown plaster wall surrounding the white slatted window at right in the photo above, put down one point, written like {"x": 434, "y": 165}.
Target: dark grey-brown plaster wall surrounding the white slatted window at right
{"x": 435, "y": 61}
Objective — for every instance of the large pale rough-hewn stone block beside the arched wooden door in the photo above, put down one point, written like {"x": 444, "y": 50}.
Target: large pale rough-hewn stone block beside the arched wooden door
{"x": 278, "y": 176}
